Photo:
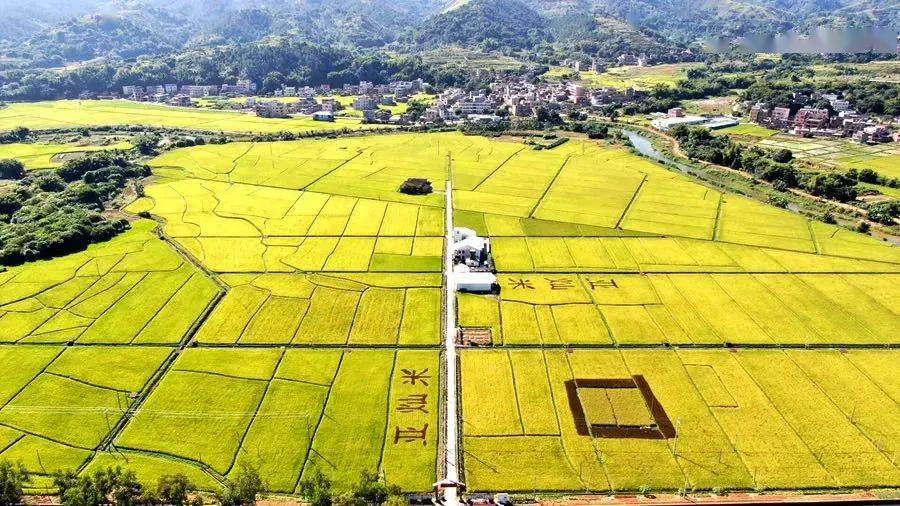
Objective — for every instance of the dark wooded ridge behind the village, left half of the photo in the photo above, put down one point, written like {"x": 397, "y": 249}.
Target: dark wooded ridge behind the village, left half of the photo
{"x": 271, "y": 63}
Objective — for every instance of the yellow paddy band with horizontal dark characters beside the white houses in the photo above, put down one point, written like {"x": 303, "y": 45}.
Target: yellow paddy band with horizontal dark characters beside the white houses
{"x": 686, "y": 309}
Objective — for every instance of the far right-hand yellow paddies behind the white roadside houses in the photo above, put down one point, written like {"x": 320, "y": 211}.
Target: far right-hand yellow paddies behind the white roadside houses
{"x": 583, "y": 189}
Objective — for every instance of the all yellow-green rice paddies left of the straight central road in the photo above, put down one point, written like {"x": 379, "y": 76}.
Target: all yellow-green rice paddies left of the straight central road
{"x": 310, "y": 341}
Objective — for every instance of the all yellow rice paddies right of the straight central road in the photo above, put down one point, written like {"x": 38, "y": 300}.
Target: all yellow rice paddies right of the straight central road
{"x": 604, "y": 250}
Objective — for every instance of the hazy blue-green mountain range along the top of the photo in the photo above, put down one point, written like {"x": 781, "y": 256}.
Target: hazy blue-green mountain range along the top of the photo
{"x": 56, "y": 32}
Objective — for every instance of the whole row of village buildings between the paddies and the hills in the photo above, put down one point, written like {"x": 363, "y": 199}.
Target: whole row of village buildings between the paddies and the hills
{"x": 516, "y": 96}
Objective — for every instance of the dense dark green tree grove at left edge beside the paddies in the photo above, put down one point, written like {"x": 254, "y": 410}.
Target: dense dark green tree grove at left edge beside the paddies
{"x": 51, "y": 213}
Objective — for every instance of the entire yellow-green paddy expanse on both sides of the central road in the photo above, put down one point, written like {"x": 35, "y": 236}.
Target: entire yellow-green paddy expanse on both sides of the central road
{"x": 283, "y": 309}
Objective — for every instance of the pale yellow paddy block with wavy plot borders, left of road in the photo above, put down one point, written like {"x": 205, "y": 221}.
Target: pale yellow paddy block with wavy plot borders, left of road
{"x": 250, "y": 228}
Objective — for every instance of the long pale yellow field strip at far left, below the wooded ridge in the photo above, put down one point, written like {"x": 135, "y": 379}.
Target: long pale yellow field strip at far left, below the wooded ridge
{"x": 89, "y": 113}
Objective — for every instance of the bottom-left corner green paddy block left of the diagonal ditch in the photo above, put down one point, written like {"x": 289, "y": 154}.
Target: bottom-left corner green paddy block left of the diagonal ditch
{"x": 59, "y": 404}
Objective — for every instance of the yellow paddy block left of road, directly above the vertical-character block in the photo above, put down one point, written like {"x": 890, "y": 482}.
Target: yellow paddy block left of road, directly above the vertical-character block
{"x": 317, "y": 309}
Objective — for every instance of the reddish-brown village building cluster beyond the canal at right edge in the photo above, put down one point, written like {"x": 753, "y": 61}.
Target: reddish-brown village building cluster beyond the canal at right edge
{"x": 838, "y": 121}
